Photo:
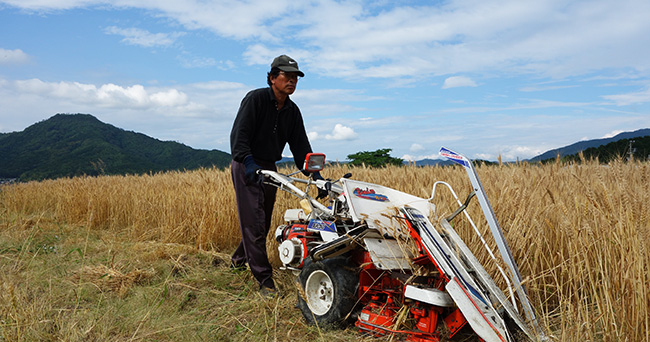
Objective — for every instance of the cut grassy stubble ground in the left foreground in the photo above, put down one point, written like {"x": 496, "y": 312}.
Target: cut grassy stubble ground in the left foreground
{"x": 65, "y": 283}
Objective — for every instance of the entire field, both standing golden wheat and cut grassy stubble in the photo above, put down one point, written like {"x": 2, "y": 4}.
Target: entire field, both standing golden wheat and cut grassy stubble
{"x": 579, "y": 232}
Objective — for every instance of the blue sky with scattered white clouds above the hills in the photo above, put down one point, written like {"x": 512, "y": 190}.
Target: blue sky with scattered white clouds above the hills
{"x": 486, "y": 78}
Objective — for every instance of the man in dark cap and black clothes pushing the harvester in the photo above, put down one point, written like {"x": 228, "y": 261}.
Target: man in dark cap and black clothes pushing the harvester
{"x": 266, "y": 121}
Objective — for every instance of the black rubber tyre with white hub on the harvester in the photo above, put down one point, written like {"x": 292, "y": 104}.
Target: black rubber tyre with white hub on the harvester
{"x": 328, "y": 292}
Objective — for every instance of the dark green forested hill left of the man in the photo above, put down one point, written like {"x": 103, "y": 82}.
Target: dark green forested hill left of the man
{"x": 68, "y": 145}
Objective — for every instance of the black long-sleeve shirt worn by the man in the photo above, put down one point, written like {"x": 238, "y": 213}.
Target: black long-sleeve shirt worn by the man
{"x": 262, "y": 131}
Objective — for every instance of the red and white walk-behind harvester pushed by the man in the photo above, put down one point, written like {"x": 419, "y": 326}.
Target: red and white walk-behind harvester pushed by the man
{"x": 373, "y": 257}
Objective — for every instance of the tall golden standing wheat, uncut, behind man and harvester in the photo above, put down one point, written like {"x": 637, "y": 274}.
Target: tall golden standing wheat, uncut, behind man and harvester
{"x": 580, "y": 233}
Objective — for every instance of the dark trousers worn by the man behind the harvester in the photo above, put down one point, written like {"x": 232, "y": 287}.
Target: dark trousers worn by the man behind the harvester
{"x": 255, "y": 206}
